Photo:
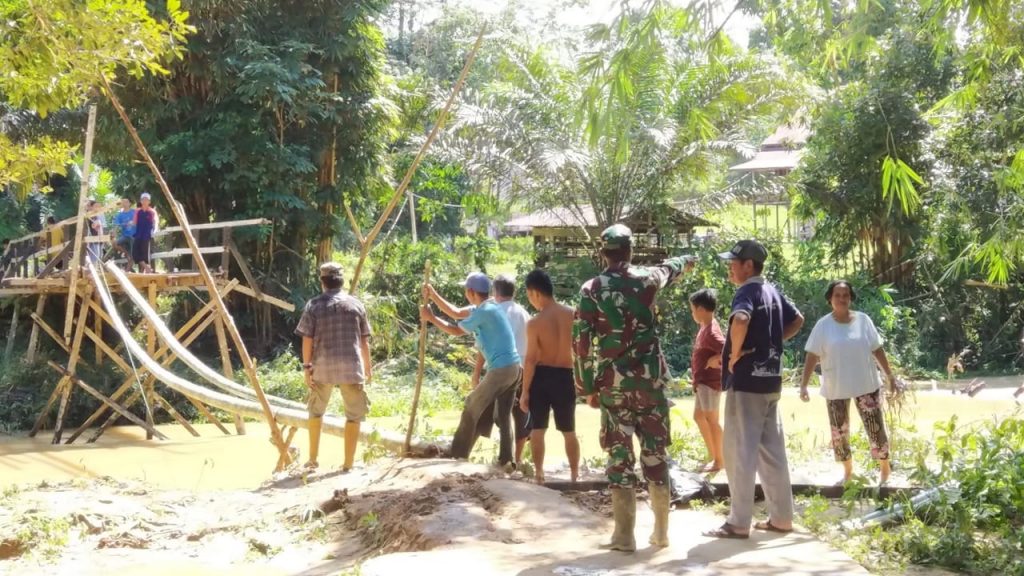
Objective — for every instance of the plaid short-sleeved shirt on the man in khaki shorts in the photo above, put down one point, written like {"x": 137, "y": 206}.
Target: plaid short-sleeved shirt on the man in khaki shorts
{"x": 337, "y": 323}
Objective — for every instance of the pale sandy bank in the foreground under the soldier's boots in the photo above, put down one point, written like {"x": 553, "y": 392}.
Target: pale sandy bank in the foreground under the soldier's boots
{"x": 390, "y": 518}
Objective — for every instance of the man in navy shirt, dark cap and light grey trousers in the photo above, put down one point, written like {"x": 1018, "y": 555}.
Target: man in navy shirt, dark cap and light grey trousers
{"x": 752, "y": 376}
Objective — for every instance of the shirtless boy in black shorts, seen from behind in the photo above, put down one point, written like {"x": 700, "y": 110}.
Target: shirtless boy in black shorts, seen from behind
{"x": 547, "y": 382}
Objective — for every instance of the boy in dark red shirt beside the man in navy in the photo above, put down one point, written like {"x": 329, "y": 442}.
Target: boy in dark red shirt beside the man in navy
{"x": 706, "y": 367}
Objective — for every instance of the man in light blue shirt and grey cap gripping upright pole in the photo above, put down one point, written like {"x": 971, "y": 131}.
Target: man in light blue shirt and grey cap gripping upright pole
{"x": 496, "y": 393}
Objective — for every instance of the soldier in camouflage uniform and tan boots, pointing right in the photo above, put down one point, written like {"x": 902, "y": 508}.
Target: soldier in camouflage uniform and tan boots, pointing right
{"x": 620, "y": 368}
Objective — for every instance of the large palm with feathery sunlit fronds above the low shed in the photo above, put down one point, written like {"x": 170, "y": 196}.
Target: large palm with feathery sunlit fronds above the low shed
{"x": 647, "y": 114}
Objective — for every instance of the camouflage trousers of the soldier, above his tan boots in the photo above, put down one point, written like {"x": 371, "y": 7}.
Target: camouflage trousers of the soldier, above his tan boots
{"x": 647, "y": 416}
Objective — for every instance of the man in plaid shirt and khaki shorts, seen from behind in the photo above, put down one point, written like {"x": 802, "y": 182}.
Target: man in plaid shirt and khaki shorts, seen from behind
{"x": 335, "y": 353}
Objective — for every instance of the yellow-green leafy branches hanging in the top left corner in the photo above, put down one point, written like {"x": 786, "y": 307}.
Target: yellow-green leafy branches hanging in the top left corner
{"x": 53, "y": 57}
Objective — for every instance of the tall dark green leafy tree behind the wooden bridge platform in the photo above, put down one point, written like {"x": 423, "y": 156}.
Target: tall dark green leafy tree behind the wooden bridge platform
{"x": 277, "y": 111}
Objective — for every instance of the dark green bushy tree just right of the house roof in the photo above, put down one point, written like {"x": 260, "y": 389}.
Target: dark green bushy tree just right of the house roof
{"x": 875, "y": 122}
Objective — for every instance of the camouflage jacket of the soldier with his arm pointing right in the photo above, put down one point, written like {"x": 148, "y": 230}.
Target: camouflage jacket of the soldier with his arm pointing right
{"x": 615, "y": 337}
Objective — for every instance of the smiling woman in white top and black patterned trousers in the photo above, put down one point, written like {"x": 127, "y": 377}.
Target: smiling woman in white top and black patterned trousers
{"x": 848, "y": 347}
